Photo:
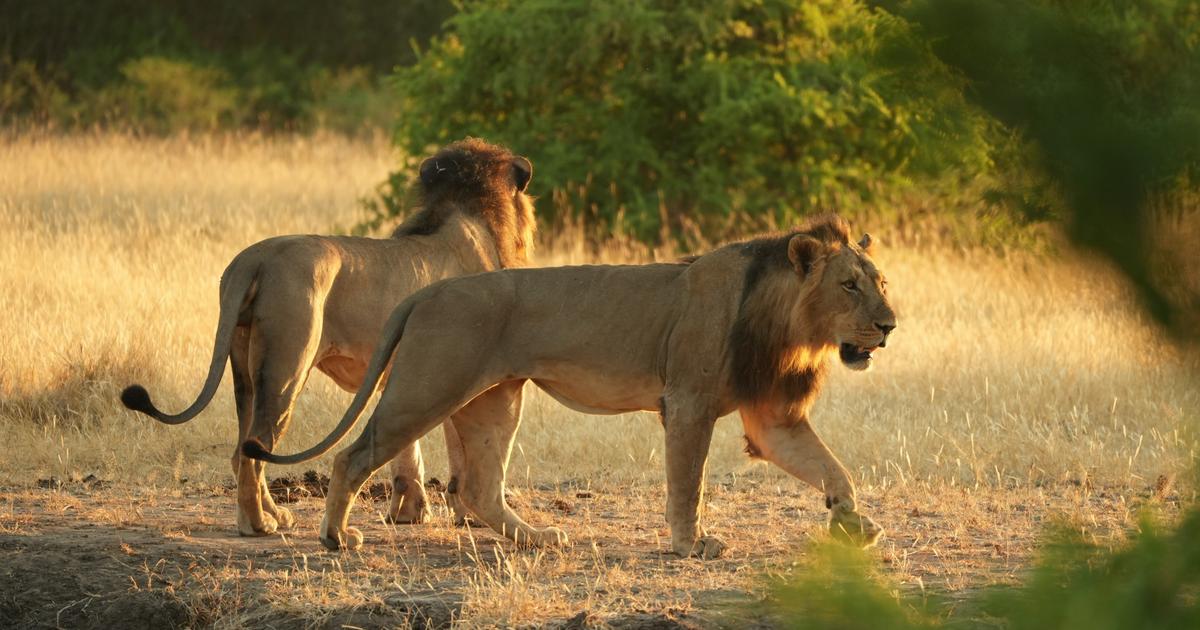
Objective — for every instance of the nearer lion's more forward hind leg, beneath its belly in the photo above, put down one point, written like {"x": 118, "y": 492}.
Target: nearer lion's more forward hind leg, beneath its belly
{"x": 487, "y": 429}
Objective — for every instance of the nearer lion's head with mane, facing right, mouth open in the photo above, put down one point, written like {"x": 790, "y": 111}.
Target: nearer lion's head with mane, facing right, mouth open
{"x": 806, "y": 295}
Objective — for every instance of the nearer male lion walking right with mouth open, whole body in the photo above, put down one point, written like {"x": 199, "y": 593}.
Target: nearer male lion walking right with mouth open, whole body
{"x": 747, "y": 327}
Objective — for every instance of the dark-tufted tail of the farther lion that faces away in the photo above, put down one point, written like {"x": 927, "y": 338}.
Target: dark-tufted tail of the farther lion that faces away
{"x": 235, "y": 289}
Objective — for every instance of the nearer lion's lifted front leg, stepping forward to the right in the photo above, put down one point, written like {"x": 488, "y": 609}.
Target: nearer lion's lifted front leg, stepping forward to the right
{"x": 791, "y": 445}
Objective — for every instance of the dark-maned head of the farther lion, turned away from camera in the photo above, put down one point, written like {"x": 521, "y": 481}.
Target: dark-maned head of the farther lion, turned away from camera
{"x": 483, "y": 181}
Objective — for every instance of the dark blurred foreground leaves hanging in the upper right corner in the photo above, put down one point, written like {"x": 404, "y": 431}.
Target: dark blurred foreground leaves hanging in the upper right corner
{"x": 1108, "y": 93}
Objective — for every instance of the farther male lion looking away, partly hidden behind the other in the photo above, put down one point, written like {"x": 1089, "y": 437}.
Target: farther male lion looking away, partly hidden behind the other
{"x": 291, "y": 304}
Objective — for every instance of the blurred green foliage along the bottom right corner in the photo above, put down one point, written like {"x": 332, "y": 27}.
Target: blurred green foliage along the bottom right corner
{"x": 1153, "y": 583}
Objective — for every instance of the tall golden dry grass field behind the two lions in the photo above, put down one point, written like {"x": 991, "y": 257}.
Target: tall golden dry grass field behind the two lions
{"x": 1006, "y": 370}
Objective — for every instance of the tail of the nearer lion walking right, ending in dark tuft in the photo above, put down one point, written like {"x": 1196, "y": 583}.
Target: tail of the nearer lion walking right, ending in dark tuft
{"x": 392, "y": 334}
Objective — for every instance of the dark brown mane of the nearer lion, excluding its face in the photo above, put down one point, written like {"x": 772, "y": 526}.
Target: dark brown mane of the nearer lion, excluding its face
{"x": 761, "y": 359}
